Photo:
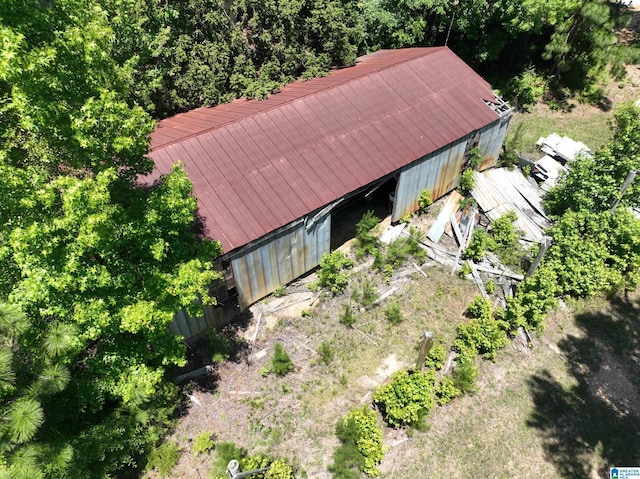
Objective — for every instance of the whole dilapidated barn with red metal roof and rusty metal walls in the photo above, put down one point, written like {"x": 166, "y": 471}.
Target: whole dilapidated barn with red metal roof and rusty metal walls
{"x": 274, "y": 177}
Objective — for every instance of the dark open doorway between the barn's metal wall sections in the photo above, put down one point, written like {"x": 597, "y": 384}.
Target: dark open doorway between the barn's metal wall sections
{"x": 344, "y": 218}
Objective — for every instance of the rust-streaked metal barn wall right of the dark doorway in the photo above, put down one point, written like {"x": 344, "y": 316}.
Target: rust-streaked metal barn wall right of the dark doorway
{"x": 439, "y": 172}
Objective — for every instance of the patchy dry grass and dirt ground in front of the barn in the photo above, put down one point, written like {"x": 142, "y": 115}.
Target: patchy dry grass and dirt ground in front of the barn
{"x": 530, "y": 418}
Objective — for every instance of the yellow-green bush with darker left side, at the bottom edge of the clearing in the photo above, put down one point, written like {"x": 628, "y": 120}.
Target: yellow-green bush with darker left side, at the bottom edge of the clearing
{"x": 361, "y": 445}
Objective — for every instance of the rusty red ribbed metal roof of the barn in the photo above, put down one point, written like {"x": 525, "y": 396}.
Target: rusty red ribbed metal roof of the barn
{"x": 258, "y": 165}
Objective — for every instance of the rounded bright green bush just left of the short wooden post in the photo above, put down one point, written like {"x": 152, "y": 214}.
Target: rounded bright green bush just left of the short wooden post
{"x": 407, "y": 399}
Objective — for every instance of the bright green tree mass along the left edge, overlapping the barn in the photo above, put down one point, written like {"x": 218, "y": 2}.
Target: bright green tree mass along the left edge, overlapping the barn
{"x": 95, "y": 266}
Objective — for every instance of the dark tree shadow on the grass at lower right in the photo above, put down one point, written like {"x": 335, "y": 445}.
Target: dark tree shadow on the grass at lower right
{"x": 599, "y": 414}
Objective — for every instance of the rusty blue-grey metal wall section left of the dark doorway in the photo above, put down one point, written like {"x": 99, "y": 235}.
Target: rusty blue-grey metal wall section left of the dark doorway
{"x": 277, "y": 260}
